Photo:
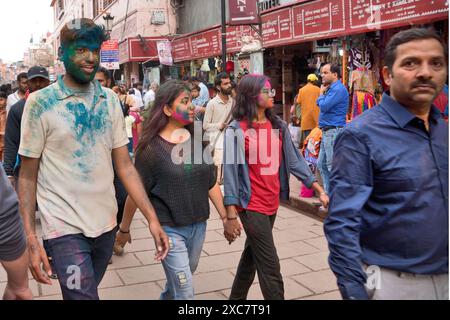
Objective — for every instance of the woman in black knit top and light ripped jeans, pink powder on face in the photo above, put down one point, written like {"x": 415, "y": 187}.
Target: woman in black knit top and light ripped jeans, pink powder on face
{"x": 179, "y": 178}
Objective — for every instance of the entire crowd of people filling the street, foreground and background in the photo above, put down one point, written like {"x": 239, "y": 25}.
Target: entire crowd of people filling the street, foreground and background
{"x": 88, "y": 154}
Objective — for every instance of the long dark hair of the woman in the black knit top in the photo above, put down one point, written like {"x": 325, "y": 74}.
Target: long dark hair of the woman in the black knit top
{"x": 166, "y": 95}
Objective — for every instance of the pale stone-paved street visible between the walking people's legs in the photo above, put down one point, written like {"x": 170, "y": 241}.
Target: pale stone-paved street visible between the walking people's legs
{"x": 301, "y": 247}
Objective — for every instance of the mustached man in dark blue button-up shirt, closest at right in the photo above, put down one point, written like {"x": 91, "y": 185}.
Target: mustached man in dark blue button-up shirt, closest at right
{"x": 388, "y": 214}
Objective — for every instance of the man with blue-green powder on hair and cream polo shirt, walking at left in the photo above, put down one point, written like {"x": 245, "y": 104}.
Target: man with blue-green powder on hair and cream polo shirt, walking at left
{"x": 72, "y": 131}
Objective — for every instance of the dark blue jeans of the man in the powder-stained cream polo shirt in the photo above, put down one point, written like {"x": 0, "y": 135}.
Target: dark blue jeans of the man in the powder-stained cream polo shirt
{"x": 80, "y": 263}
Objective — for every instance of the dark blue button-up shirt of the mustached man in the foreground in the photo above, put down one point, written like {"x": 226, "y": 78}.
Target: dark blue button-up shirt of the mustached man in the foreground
{"x": 389, "y": 196}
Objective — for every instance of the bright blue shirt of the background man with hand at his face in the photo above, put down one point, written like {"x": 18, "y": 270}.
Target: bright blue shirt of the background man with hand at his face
{"x": 333, "y": 106}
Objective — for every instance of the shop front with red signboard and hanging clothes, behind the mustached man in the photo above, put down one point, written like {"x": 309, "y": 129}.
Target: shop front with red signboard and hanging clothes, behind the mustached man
{"x": 299, "y": 38}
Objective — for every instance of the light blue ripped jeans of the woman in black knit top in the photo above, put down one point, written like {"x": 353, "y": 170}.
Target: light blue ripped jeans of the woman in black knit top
{"x": 185, "y": 245}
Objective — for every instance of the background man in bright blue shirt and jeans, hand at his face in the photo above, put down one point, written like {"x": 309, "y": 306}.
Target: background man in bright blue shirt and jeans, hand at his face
{"x": 333, "y": 104}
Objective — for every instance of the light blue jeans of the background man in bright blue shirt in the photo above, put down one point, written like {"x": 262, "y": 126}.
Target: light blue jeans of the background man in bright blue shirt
{"x": 326, "y": 155}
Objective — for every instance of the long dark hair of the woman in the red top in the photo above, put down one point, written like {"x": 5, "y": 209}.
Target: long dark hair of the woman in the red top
{"x": 246, "y": 106}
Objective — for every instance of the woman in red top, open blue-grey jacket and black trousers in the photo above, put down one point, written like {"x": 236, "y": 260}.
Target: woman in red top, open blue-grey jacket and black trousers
{"x": 254, "y": 189}
